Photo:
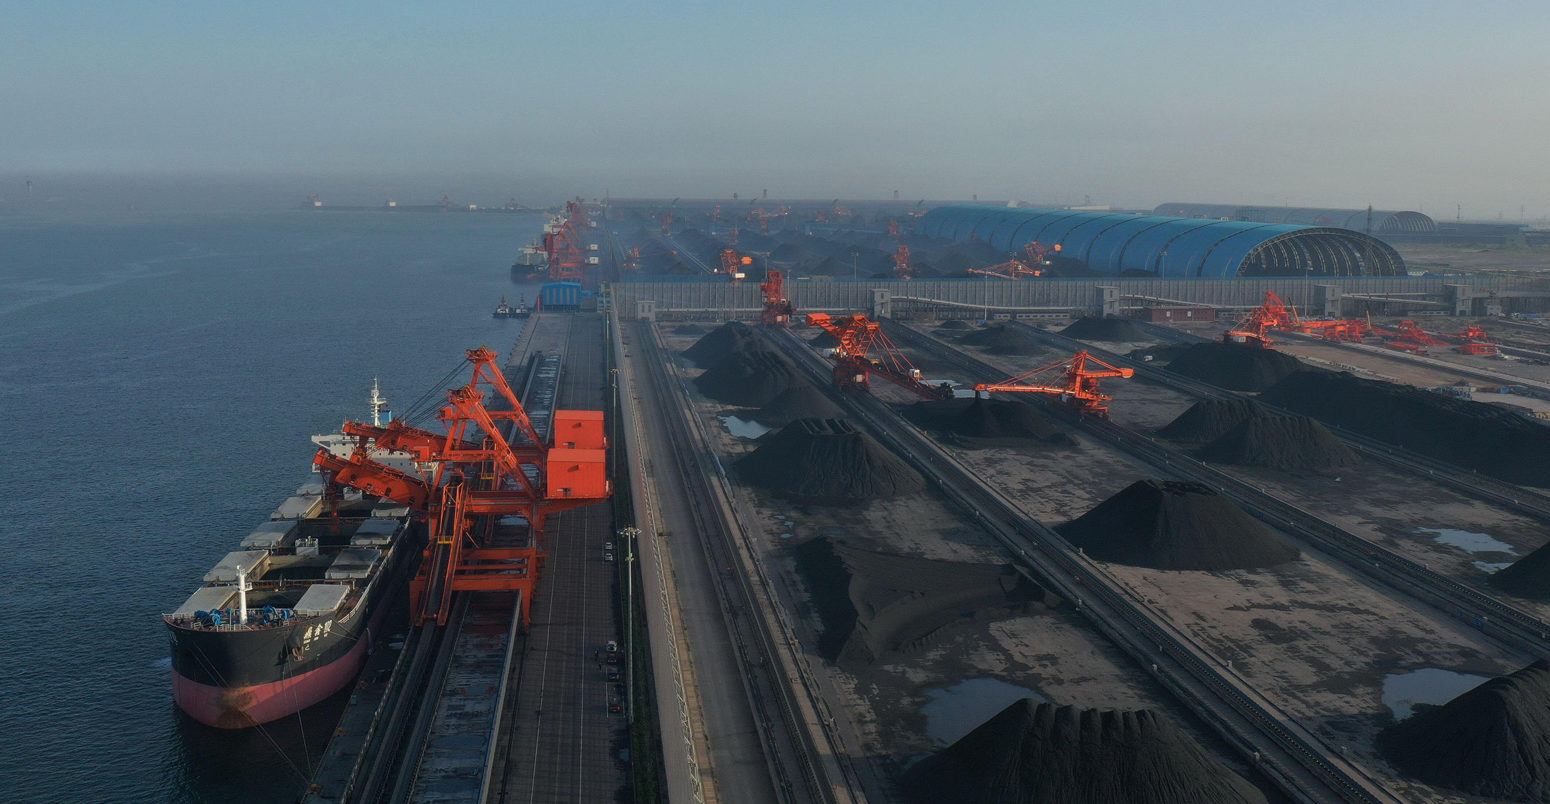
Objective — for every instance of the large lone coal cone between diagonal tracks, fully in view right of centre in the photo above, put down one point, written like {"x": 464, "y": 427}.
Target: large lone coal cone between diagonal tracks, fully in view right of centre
{"x": 1177, "y": 526}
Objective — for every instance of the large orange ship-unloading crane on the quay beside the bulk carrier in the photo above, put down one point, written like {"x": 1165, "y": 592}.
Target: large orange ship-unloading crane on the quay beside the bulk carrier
{"x": 487, "y": 466}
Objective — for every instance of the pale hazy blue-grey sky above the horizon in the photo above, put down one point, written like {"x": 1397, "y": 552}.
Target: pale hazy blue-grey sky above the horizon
{"x": 1416, "y": 105}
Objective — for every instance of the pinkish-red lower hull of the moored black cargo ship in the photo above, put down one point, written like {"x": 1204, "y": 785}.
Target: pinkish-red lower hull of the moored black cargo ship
{"x": 244, "y": 707}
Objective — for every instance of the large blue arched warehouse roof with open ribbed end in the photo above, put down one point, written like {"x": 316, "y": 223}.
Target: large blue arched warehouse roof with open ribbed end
{"x": 1169, "y": 247}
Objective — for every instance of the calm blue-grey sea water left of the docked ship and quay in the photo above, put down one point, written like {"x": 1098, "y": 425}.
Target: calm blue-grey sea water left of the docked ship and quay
{"x": 160, "y": 379}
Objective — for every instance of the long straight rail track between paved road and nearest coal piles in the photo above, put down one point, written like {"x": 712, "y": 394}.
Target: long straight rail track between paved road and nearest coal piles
{"x": 791, "y": 751}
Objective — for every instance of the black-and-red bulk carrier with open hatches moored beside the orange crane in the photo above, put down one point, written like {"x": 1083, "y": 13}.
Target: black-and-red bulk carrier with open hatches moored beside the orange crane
{"x": 289, "y": 619}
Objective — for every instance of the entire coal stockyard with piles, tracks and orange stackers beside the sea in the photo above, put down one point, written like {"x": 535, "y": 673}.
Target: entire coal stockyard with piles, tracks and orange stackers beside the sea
{"x": 900, "y": 512}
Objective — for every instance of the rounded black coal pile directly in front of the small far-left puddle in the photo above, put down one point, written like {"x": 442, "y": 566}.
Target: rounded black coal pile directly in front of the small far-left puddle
{"x": 828, "y": 462}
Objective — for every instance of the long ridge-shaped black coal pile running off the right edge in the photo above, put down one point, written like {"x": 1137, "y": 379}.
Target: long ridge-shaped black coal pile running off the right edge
{"x": 1476, "y": 436}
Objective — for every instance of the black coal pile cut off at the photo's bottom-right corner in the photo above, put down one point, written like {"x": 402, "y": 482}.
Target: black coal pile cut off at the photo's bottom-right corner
{"x": 1492, "y": 741}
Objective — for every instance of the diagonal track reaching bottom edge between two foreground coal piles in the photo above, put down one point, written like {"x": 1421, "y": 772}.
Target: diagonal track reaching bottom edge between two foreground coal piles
{"x": 1286, "y": 754}
